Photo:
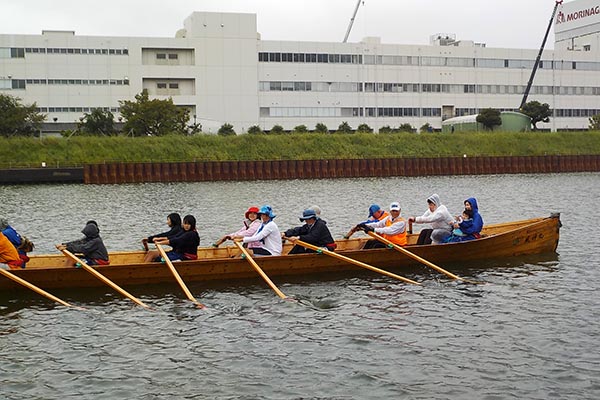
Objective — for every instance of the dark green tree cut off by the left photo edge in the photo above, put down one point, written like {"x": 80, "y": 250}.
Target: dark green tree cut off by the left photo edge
{"x": 18, "y": 119}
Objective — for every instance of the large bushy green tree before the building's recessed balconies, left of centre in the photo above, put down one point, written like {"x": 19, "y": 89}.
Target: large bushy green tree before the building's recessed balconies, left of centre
{"x": 153, "y": 117}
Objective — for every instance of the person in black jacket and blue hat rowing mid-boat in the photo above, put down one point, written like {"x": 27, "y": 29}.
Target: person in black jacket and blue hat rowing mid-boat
{"x": 314, "y": 231}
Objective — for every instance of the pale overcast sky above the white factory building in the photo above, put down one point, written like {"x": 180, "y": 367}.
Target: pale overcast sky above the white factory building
{"x": 505, "y": 23}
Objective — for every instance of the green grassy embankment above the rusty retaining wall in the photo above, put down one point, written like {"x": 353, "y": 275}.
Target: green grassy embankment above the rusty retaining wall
{"x": 15, "y": 152}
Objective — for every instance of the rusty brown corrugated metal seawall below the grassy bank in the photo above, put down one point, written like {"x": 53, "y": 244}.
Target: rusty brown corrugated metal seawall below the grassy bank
{"x": 317, "y": 169}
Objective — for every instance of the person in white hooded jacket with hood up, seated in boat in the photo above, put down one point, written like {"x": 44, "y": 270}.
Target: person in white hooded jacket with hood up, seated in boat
{"x": 438, "y": 216}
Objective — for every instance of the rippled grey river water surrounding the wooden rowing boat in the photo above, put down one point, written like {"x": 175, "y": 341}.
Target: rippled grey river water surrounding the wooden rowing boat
{"x": 530, "y": 333}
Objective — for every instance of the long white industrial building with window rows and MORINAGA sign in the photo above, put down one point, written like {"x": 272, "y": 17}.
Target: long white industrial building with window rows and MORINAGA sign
{"x": 219, "y": 67}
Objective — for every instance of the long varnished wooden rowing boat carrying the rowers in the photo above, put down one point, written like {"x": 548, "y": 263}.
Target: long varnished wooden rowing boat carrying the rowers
{"x": 511, "y": 239}
